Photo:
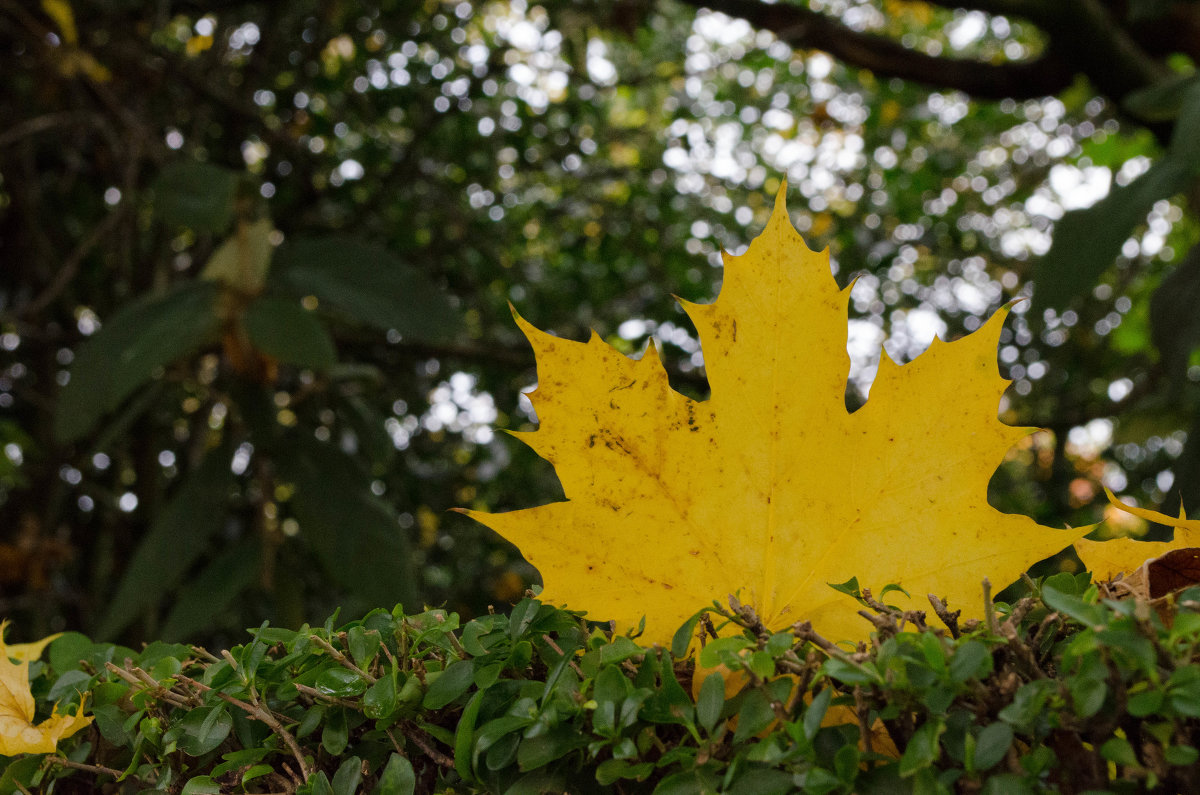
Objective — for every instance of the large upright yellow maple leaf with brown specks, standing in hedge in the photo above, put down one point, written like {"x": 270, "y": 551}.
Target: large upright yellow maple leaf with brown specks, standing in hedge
{"x": 771, "y": 488}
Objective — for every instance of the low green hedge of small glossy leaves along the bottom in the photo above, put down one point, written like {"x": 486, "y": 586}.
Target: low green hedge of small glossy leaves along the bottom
{"x": 1069, "y": 690}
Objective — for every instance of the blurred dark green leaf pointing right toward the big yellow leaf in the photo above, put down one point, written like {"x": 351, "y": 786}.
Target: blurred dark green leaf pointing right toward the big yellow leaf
{"x": 367, "y": 285}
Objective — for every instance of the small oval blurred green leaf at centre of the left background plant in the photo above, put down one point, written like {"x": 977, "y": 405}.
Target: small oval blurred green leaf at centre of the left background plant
{"x": 286, "y": 331}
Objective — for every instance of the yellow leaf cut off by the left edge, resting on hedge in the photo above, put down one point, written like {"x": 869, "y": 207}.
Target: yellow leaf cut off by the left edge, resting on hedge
{"x": 19, "y": 736}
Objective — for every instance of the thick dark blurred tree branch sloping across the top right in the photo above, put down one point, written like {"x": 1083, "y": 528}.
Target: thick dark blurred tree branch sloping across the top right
{"x": 803, "y": 28}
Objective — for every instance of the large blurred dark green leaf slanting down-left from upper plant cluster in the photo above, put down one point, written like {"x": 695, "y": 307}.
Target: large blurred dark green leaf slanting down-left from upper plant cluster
{"x": 130, "y": 350}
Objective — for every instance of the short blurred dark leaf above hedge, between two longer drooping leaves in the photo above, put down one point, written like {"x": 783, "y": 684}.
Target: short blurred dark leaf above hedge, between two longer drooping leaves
{"x": 203, "y": 600}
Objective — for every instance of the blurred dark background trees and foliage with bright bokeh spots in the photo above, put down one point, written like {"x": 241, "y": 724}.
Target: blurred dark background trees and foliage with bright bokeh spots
{"x": 256, "y": 262}
